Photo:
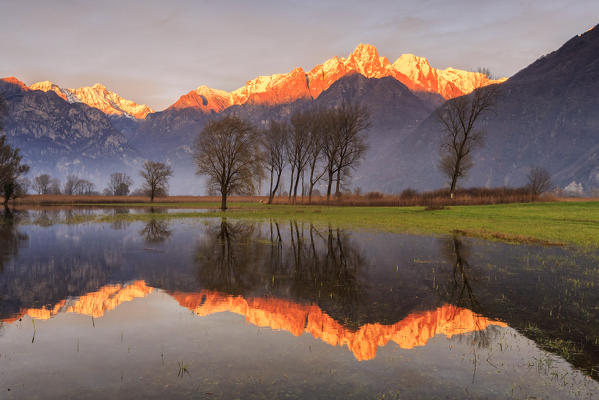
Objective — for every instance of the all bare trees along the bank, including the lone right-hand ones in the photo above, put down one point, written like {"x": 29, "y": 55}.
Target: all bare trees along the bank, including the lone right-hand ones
{"x": 318, "y": 146}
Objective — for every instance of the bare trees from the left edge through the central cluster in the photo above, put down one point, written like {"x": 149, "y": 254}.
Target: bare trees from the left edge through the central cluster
{"x": 312, "y": 146}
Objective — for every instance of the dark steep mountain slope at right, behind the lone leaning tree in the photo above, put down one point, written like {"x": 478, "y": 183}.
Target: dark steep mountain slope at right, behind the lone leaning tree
{"x": 547, "y": 115}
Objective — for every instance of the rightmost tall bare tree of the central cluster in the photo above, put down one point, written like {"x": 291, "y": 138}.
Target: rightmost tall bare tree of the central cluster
{"x": 343, "y": 144}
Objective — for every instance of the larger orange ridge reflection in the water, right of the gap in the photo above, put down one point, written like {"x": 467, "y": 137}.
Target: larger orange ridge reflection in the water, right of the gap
{"x": 414, "y": 330}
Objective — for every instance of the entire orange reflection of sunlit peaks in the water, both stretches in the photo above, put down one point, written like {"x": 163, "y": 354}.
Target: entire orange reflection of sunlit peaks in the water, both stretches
{"x": 280, "y": 314}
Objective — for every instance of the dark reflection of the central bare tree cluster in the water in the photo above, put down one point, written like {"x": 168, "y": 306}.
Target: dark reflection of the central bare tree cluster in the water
{"x": 302, "y": 262}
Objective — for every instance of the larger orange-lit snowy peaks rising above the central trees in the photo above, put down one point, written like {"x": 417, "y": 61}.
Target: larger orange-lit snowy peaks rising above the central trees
{"x": 414, "y": 72}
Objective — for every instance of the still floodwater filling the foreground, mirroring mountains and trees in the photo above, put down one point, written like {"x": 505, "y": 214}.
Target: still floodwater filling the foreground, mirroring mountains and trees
{"x": 209, "y": 308}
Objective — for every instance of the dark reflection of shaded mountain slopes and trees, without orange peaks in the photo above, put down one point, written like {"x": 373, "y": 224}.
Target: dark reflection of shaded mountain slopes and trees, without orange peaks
{"x": 549, "y": 294}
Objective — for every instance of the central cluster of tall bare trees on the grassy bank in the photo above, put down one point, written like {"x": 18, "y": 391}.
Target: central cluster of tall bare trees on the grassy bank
{"x": 313, "y": 145}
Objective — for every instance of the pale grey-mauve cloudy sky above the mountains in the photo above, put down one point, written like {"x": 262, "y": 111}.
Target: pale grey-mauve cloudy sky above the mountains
{"x": 153, "y": 52}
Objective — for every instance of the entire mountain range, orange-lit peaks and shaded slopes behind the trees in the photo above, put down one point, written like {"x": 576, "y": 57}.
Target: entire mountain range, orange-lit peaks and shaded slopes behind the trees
{"x": 546, "y": 116}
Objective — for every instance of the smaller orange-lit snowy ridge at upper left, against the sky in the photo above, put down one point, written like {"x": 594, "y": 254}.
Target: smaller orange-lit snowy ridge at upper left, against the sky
{"x": 96, "y": 96}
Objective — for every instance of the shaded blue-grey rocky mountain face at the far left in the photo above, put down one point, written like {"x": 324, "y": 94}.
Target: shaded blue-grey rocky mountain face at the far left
{"x": 59, "y": 137}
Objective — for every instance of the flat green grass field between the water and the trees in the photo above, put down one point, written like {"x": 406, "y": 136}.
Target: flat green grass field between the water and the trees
{"x": 552, "y": 223}
